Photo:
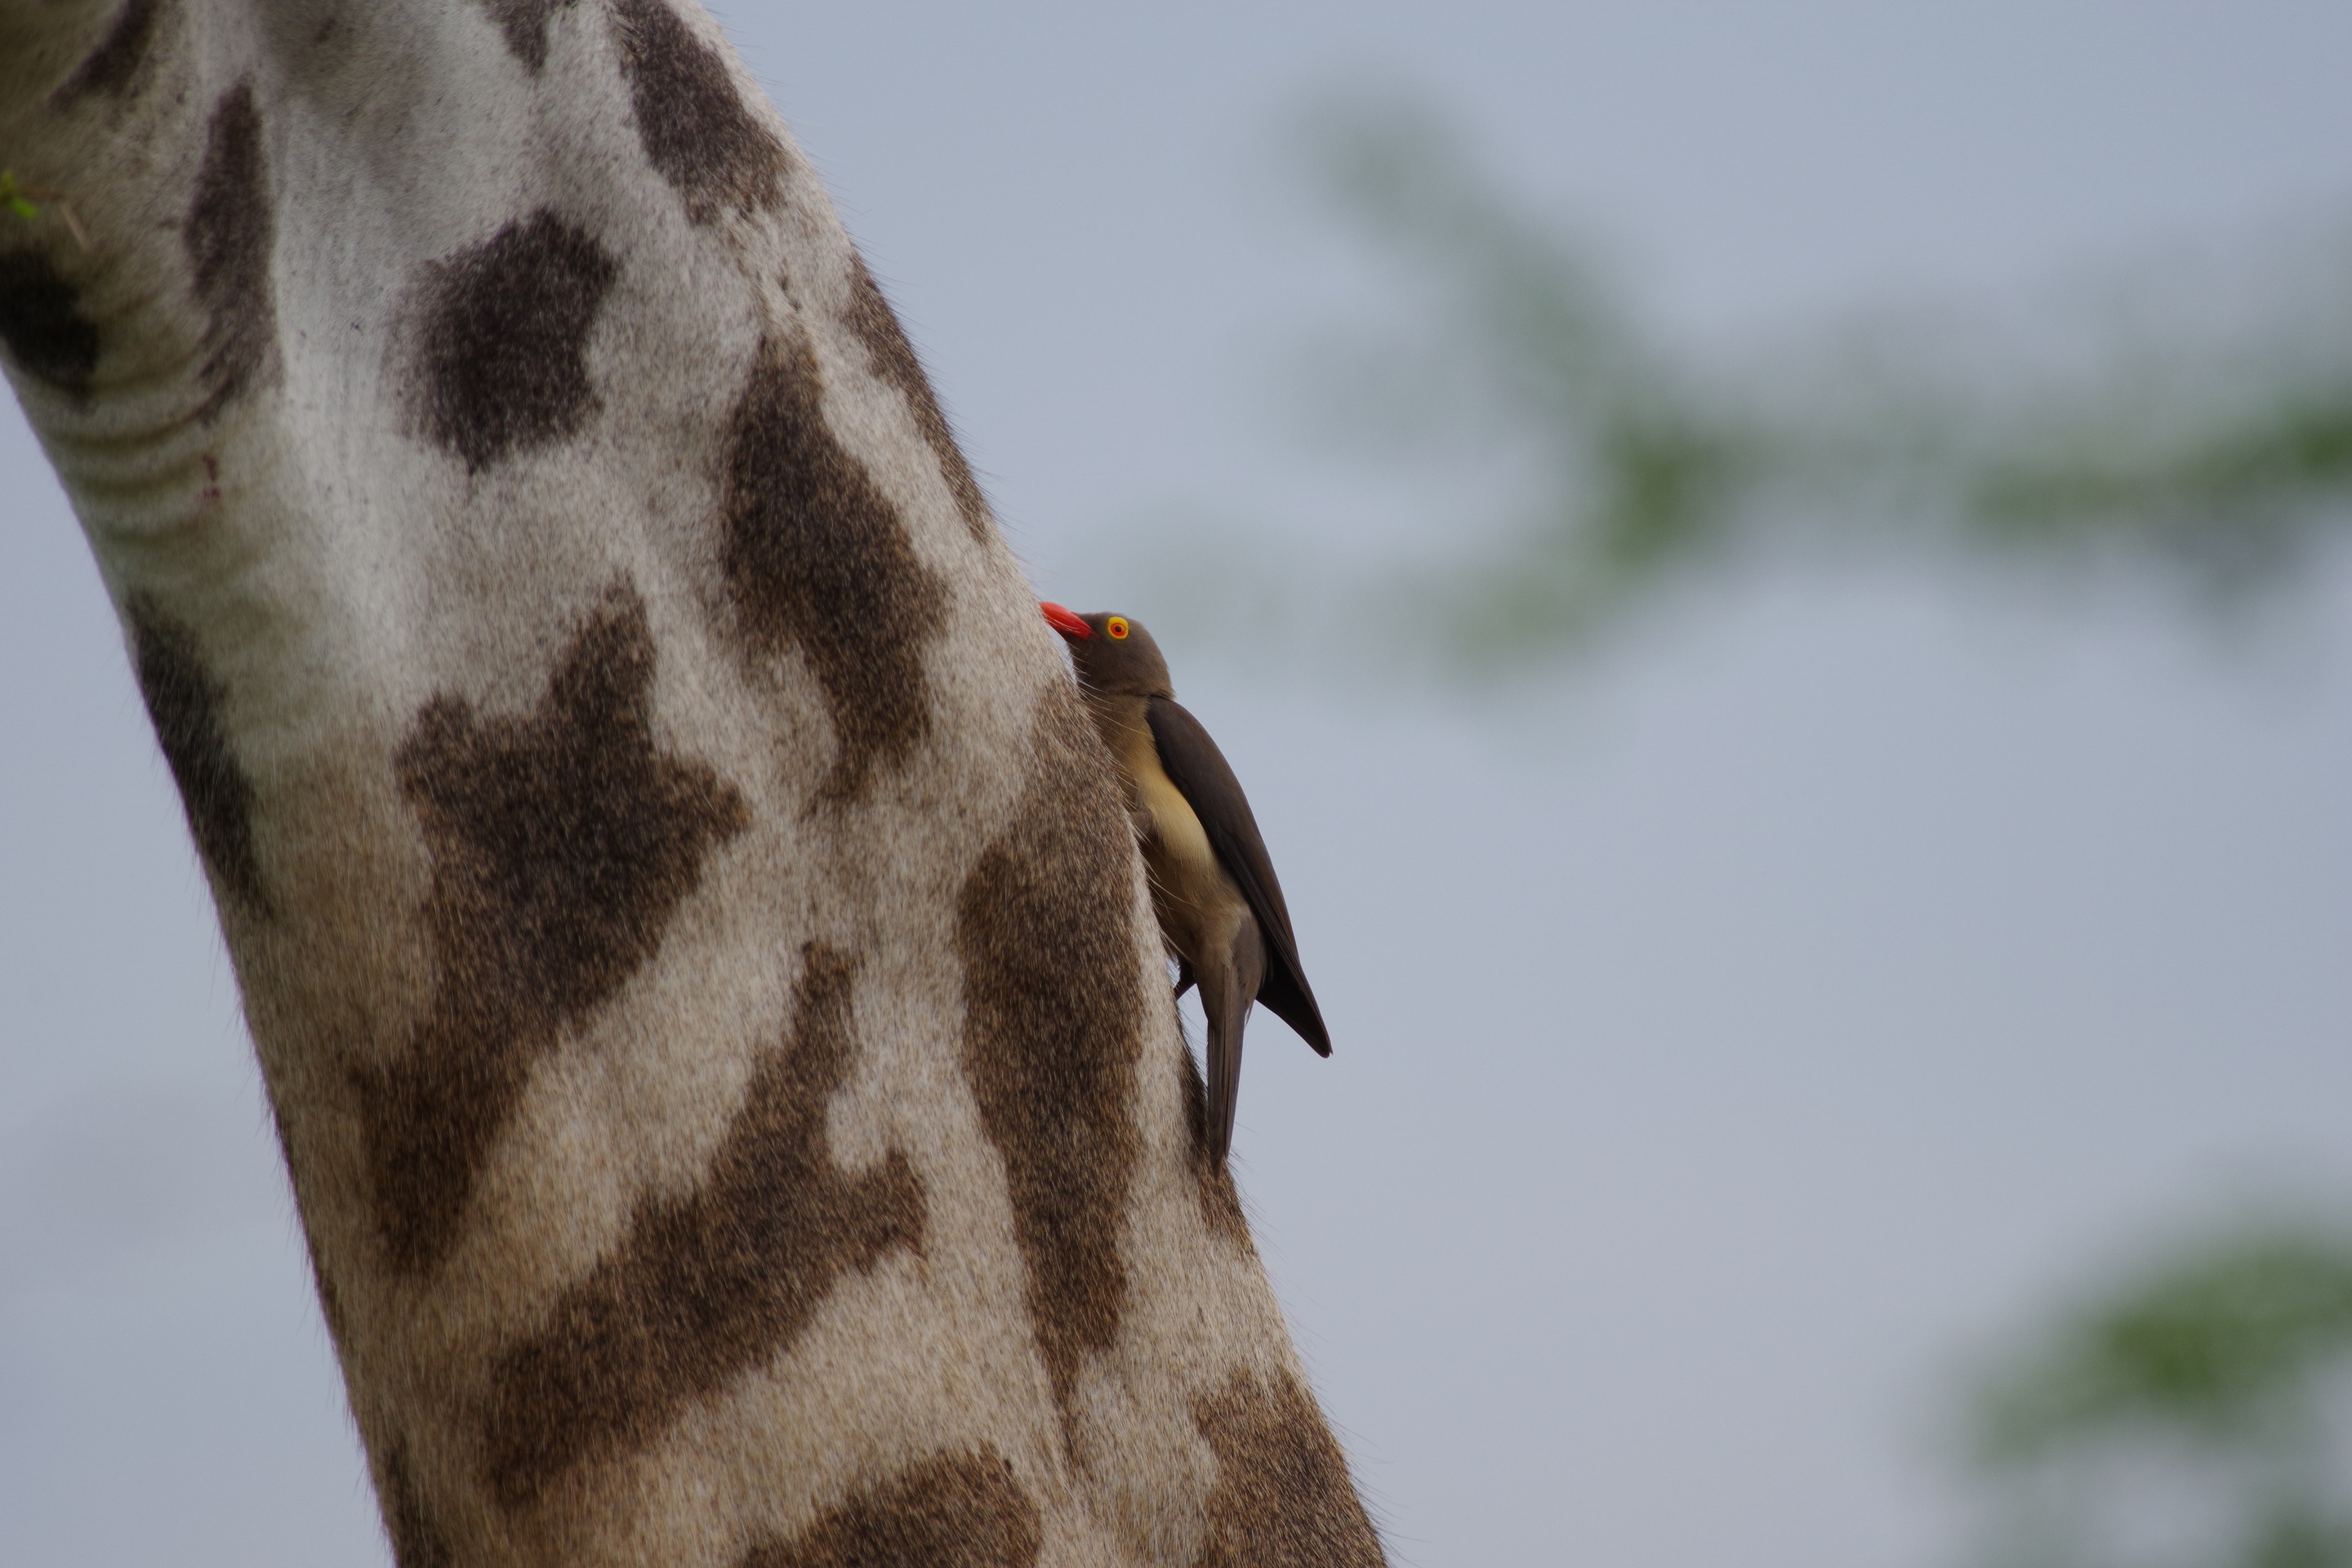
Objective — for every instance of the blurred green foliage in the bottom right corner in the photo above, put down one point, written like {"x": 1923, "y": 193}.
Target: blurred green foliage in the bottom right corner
{"x": 2193, "y": 1416}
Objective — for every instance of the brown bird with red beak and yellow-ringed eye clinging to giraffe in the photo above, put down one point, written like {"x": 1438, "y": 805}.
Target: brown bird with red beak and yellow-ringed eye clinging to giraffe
{"x": 1212, "y": 883}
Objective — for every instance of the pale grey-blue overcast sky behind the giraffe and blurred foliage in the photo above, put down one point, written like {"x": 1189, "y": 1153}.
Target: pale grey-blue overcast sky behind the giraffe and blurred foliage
{"x": 1732, "y": 1040}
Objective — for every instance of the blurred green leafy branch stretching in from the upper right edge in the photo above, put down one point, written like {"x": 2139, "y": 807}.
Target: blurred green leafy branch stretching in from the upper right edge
{"x": 1610, "y": 462}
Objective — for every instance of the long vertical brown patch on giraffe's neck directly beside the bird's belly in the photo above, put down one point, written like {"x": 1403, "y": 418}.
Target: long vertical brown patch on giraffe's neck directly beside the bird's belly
{"x": 1053, "y": 1031}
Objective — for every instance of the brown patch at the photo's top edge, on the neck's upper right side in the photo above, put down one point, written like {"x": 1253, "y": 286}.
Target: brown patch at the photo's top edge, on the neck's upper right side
{"x": 693, "y": 121}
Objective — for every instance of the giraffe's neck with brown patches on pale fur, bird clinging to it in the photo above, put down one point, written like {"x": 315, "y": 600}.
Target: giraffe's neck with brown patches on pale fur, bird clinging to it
{"x": 695, "y": 949}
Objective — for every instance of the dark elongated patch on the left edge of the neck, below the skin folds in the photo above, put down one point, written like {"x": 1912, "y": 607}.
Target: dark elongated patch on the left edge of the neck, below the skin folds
{"x": 185, "y": 704}
